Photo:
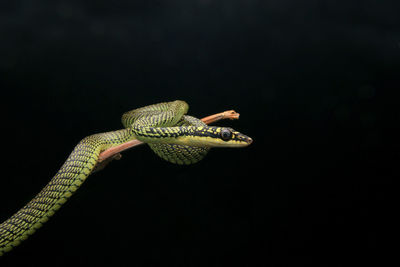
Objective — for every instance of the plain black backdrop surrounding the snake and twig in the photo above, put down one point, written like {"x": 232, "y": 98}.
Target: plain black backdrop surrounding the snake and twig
{"x": 315, "y": 83}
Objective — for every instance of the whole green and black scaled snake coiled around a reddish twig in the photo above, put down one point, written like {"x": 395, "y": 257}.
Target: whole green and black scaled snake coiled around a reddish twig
{"x": 172, "y": 135}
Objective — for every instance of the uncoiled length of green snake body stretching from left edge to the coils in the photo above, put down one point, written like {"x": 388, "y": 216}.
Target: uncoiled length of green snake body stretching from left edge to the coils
{"x": 61, "y": 187}
